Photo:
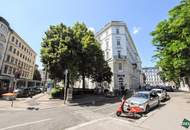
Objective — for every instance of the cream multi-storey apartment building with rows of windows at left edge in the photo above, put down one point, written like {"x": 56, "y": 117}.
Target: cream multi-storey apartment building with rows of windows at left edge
{"x": 16, "y": 56}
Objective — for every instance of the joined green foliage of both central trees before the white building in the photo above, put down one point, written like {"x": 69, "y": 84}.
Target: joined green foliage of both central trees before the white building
{"x": 76, "y": 49}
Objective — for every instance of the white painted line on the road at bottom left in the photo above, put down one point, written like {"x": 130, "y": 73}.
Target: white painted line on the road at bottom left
{"x": 25, "y": 124}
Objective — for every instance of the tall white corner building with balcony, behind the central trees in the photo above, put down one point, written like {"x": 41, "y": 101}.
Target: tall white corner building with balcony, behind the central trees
{"x": 121, "y": 54}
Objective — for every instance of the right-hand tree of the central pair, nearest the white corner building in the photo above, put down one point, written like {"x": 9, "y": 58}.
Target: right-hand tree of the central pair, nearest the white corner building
{"x": 88, "y": 52}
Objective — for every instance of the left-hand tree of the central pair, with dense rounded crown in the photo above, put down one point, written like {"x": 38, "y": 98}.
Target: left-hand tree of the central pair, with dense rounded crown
{"x": 58, "y": 52}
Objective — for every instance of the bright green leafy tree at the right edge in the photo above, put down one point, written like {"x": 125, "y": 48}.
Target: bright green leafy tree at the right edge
{"x": 172, "y": 40}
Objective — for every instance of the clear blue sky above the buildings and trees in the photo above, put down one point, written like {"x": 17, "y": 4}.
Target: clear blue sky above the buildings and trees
{"x": 31, "y": 18}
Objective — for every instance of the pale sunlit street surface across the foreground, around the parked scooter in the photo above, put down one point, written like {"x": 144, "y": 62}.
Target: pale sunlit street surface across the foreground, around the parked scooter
{"x": 168, "y": 116}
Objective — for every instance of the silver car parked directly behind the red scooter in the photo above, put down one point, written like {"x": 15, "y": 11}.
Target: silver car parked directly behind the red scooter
{"x": 144, "y": 99}
